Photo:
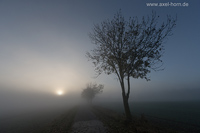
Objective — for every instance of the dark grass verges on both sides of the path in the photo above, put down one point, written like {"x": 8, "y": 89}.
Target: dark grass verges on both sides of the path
{"x": 113, "y": 121}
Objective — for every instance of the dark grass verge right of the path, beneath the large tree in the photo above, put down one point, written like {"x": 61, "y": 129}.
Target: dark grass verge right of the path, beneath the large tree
{"x": 115, "y": 123}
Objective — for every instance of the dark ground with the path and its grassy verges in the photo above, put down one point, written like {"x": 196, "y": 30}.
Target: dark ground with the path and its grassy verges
{"x": 96, "y": 119}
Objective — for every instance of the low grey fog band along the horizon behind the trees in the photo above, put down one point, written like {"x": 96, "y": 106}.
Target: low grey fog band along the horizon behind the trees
{"x": 14, "y": 102}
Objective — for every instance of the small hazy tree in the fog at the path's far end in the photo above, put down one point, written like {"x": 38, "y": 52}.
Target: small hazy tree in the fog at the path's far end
{"x": 91, "y": 91}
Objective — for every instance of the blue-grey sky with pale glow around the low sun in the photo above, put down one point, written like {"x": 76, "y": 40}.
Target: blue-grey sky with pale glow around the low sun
{"x": 43, "y": 46}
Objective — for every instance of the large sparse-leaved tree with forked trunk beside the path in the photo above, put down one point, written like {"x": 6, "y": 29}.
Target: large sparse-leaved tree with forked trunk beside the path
{"x": 129, "y": 48}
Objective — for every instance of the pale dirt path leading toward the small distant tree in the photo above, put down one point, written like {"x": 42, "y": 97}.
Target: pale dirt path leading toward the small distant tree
{"x": 85, "y": 121}
